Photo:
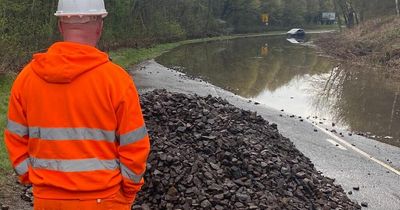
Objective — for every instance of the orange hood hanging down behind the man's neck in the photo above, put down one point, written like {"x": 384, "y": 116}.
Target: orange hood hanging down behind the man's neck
{"x": 65, "y": 61}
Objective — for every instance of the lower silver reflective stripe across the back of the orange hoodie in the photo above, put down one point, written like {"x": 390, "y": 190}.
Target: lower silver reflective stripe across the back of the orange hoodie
{"x": 82, "y": 165}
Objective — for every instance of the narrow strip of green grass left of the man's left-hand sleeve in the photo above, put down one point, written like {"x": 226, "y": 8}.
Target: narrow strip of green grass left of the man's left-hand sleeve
{"x": 5, "y": 87}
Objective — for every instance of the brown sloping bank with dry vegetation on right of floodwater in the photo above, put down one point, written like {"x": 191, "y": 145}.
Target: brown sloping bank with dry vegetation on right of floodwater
{"x": 373, "y": 43}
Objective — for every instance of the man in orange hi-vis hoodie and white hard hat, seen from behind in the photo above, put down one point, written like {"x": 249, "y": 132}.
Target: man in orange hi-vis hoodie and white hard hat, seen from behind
{"x": 75, "y": 128}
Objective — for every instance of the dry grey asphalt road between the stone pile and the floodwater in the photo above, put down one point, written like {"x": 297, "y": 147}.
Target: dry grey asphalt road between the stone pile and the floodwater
{"x": 353, "y": 161}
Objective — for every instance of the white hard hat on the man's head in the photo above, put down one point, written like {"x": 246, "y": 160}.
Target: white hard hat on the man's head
{"x": 81, "y": 8}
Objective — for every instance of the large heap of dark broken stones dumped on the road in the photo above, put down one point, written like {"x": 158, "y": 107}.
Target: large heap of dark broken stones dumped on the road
{"x": 208, "y": 154}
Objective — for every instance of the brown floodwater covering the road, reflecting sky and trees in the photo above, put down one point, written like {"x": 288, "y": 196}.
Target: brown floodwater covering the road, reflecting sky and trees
{"x": 297, "y": 79}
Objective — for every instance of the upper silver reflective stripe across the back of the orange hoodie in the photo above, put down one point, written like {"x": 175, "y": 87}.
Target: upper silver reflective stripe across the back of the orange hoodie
{"x": 71, "y": 134}
